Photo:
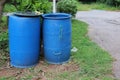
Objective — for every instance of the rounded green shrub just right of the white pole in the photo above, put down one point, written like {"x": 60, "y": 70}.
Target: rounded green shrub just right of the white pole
{"x": 67, "y": 6}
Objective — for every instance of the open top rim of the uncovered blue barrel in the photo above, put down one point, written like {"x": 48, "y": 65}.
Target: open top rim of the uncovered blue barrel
{"x": 56, "y": 16}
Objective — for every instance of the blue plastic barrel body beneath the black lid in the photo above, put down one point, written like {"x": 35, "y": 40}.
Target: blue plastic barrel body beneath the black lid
{"x": 24, "y": 40}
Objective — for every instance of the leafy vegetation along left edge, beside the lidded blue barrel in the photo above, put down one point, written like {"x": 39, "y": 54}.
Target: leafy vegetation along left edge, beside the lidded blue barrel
{"x": 3, "y": 41}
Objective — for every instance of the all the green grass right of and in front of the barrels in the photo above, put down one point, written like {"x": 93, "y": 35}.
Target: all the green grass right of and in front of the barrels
{"x": 94, "y": 62}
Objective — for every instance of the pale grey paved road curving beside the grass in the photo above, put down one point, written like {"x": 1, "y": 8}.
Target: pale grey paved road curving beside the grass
{"x": 104, "y": 29}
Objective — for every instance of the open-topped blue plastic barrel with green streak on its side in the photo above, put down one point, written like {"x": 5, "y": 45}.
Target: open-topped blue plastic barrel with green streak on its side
{"x": 57, "y": 37}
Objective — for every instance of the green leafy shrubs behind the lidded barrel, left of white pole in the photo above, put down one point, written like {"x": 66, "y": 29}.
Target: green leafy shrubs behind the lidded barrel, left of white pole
{"x": 42, "y": 6}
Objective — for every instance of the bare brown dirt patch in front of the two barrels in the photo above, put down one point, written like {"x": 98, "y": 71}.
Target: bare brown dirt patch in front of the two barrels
{"x": 41, "y": 71}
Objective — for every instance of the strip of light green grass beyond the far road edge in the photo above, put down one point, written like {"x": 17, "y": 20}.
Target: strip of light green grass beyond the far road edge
{"x": 100, "y": 6}
